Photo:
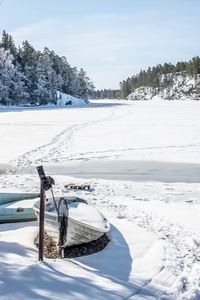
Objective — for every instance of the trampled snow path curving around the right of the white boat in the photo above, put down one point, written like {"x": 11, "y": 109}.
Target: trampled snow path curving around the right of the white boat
{"x": 180, "y": 254}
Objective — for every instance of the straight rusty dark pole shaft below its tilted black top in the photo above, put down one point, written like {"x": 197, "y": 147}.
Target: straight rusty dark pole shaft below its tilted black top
{"x": 41, "y": 221}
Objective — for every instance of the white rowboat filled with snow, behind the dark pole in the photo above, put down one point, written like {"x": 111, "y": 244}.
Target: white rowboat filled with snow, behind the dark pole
{"x": 85, "y": 222}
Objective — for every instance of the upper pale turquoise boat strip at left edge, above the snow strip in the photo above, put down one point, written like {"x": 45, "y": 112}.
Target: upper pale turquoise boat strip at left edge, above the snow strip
{"x": 14, "y": 196}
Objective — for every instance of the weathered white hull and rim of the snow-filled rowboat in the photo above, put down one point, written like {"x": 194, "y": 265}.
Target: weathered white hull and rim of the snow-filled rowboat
{"x": 78, "y": 232}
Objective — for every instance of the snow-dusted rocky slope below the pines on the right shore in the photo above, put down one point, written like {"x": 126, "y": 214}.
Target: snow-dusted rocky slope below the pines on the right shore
{"x": 172, "y": 87}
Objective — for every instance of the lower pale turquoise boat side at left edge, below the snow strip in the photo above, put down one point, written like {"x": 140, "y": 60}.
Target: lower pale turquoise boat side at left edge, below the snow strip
{"x": 16, "y": 214}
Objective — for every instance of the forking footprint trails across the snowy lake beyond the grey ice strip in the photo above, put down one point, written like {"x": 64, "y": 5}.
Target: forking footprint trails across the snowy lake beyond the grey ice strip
{"x": 58, "y": 149}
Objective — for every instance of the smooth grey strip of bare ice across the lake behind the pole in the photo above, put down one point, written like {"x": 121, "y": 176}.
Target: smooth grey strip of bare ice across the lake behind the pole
{"x": 126, "y": 170}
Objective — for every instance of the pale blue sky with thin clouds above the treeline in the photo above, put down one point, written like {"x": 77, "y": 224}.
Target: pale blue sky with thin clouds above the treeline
{"x": 110, "y": 39}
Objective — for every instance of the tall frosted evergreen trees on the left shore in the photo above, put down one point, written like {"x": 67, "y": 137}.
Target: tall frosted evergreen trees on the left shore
{"x": 30, "y": 76}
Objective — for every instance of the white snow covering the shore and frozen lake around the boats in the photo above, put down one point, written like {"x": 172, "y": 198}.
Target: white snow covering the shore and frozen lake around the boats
{"x": 142, "y": 161}
